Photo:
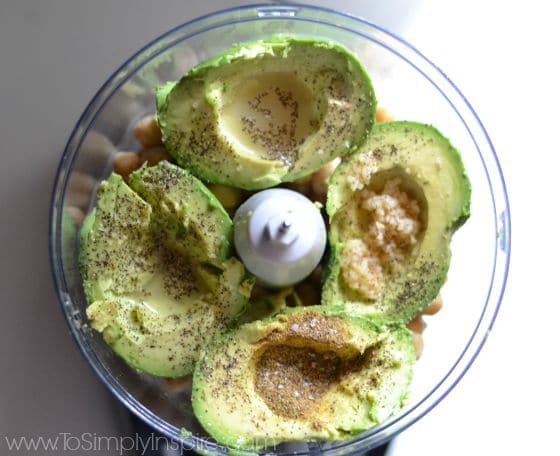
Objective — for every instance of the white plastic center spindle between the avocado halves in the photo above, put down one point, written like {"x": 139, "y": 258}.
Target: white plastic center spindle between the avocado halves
{"x": 280, "y": 236}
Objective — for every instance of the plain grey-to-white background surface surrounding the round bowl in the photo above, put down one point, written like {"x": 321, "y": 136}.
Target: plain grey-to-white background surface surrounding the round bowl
{"x": 55, "y": 54}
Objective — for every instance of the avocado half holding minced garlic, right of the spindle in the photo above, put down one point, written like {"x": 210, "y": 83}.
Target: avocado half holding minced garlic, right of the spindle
{"x": 393, "y": 207}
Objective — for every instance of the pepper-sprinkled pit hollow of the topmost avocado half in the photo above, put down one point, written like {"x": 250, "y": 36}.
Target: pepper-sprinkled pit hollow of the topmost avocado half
{"x": 269, "y": 114}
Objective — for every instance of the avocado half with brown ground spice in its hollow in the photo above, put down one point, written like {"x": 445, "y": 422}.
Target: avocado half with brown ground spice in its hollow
{"x": 312, "y": 373}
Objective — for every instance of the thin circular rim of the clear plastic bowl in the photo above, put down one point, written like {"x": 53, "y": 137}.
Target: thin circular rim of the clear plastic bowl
{"x": 502, "y": 220}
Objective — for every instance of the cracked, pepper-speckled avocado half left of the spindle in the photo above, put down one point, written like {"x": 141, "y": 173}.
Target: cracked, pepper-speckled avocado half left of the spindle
{"x": 156, "y": 297}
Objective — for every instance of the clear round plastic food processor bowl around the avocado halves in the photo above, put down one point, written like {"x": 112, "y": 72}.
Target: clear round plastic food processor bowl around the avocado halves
{"x": 409, "y": 86}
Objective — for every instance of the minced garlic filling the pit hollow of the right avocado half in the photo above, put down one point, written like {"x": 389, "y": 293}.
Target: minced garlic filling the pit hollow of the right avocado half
{"x": 390, "y": 225}
